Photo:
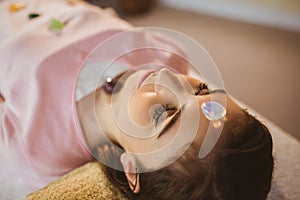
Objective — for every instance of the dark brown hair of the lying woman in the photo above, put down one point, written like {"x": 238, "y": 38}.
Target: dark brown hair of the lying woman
{"x": 239, "y": 167}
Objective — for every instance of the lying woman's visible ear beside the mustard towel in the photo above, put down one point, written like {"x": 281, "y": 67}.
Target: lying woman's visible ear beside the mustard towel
{"x": 131, "y": 171}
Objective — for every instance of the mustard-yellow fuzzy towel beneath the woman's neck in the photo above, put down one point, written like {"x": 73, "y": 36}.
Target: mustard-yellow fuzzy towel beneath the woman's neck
{"x": 86, "y": 183}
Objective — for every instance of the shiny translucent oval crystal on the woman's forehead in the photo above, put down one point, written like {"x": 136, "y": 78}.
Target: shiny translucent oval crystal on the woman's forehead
{"x": 213, "y": 110}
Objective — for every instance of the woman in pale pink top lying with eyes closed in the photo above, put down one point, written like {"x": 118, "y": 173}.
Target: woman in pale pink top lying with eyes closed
{"x": 45, "y": 130}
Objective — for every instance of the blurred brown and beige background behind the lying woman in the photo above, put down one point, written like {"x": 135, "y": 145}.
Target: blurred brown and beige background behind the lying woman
{"x": 255, "y": 44}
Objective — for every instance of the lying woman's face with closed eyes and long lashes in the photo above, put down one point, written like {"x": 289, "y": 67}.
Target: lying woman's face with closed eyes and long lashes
{"x": 153, "y": 107}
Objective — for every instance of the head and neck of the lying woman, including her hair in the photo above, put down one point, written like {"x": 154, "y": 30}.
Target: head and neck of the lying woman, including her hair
{"x": 238, "y": 167}
